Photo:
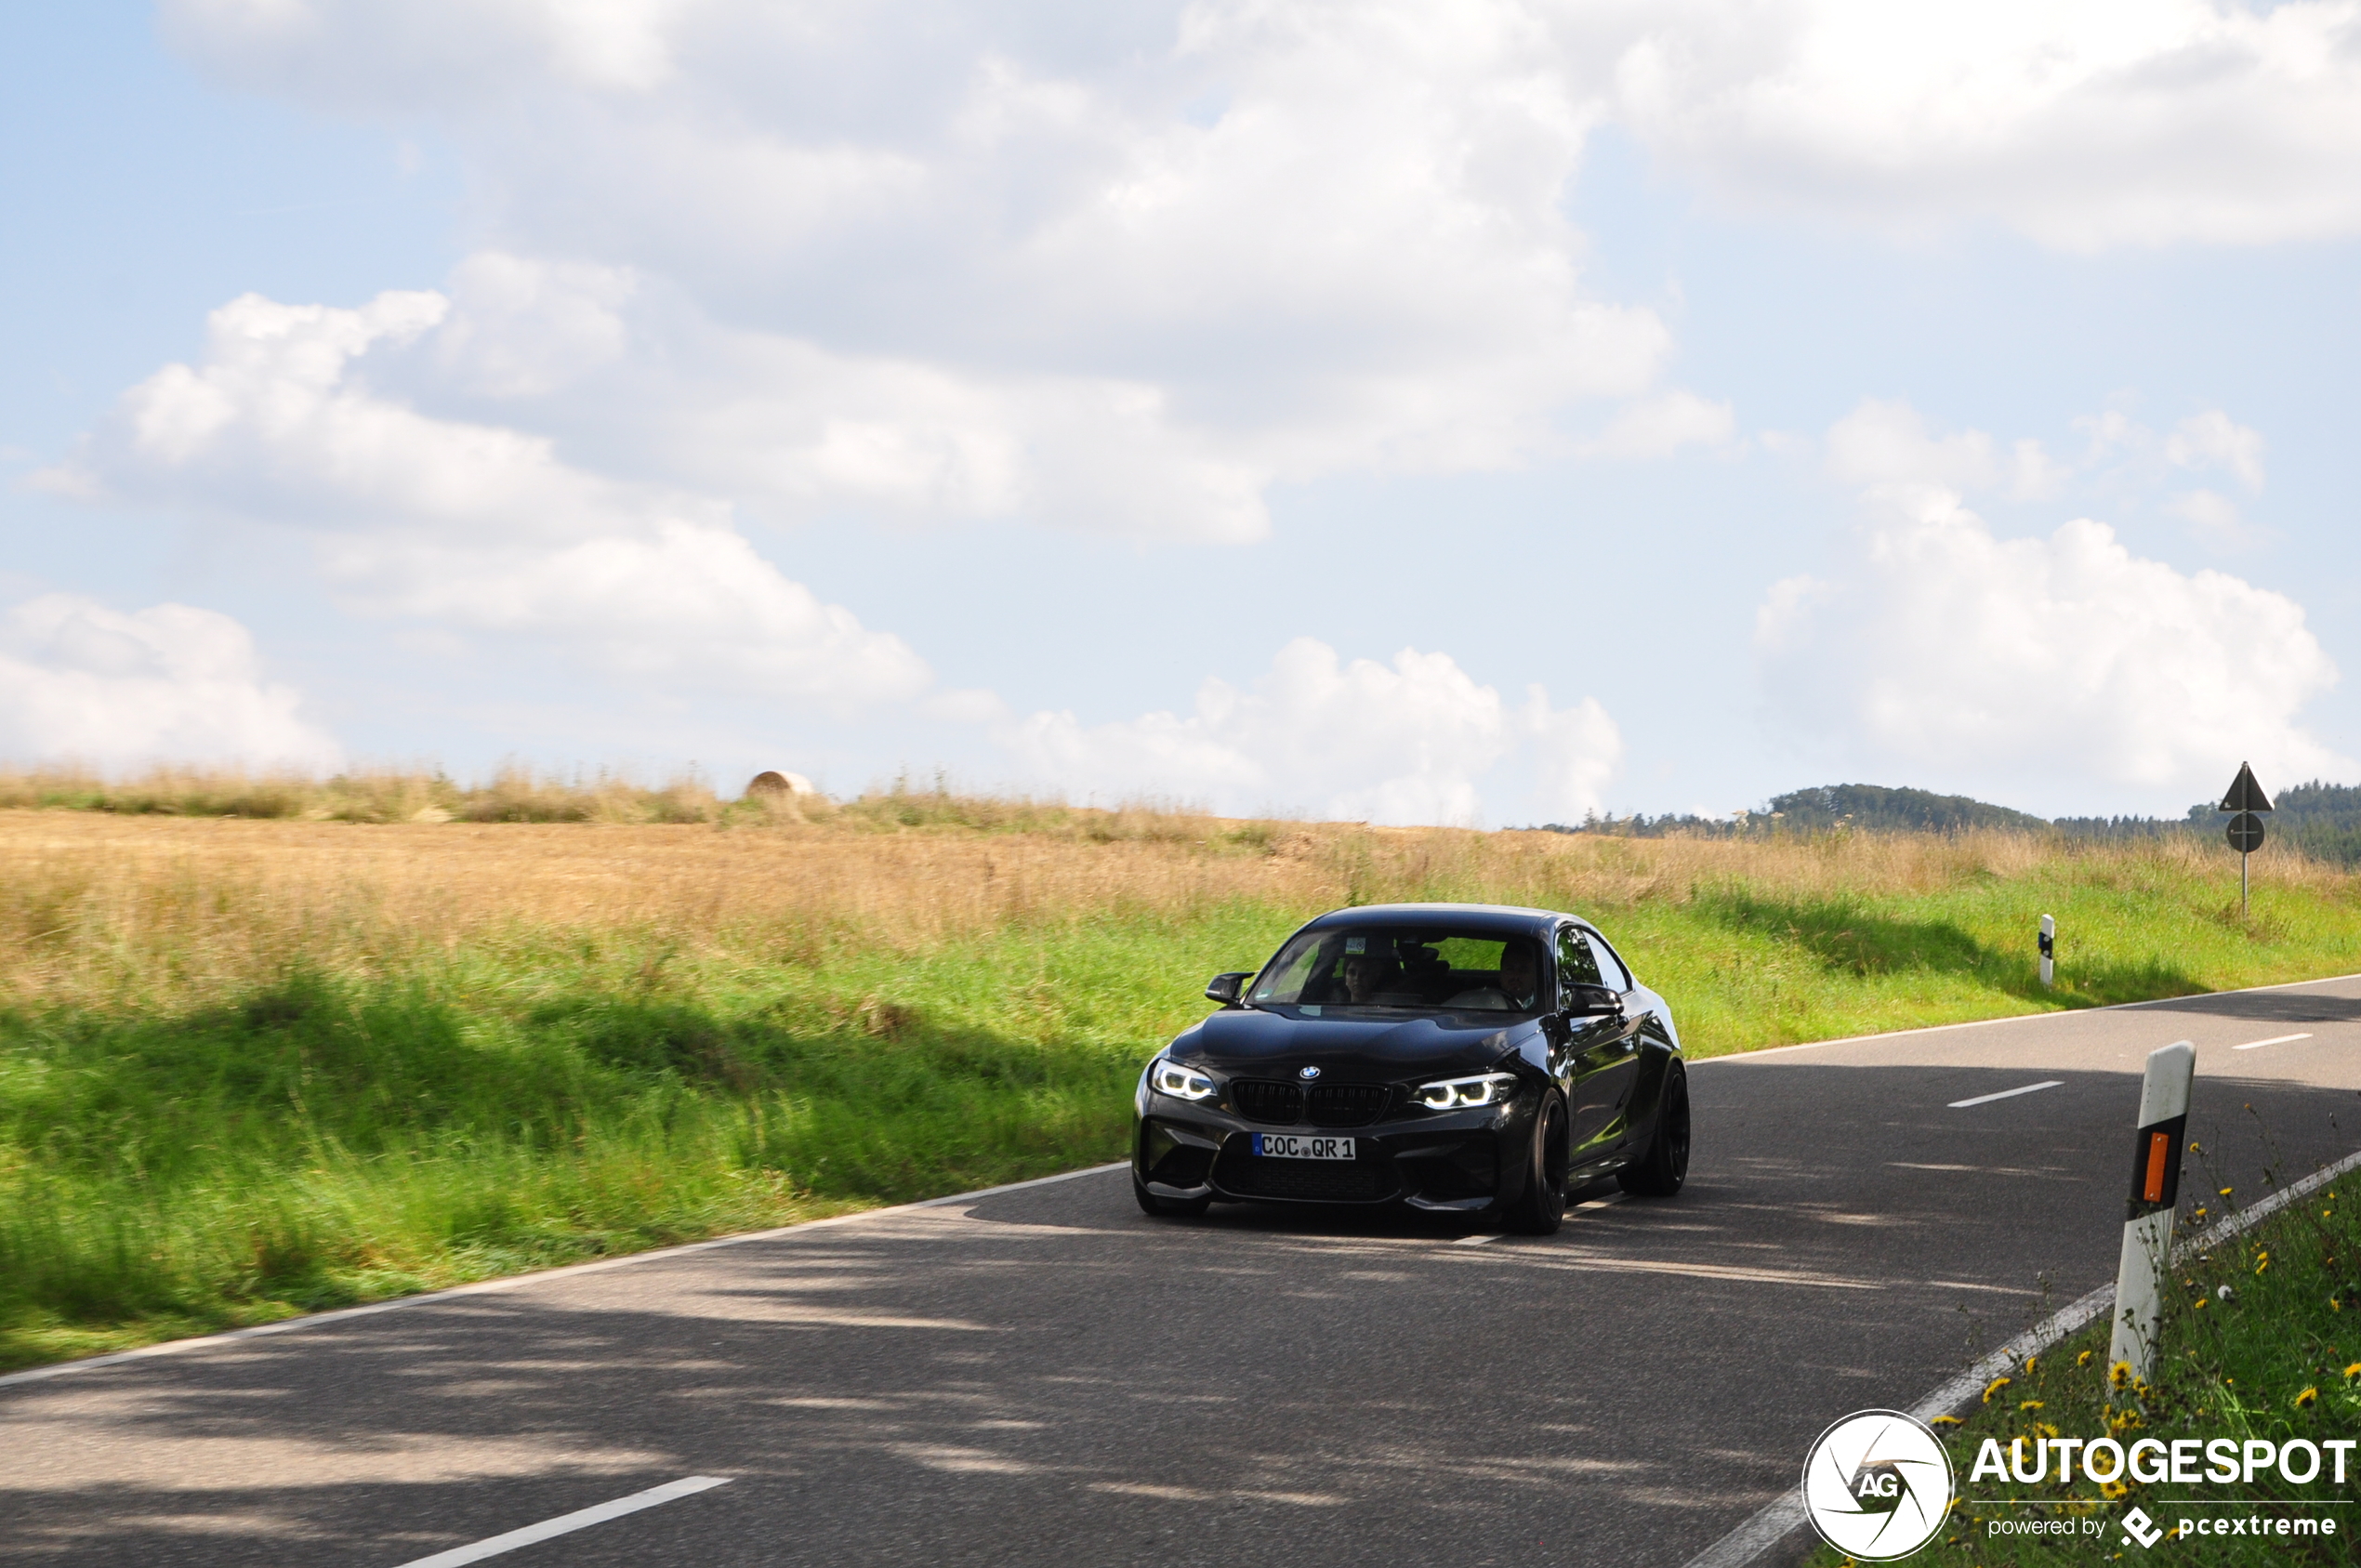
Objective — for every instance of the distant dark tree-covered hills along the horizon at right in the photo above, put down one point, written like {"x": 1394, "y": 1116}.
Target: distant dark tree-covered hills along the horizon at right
{"x": 2322, "y": 821}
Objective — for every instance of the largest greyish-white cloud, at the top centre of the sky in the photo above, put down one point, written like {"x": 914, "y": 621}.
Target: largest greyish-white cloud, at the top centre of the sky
{"x": 957, "y": 263}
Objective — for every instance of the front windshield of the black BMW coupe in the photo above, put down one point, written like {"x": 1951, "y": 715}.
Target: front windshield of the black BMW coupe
{"x": 1404, "y": 967}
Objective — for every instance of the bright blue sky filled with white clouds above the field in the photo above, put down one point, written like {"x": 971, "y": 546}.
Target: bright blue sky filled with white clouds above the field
{"x": 1456, "y": 412}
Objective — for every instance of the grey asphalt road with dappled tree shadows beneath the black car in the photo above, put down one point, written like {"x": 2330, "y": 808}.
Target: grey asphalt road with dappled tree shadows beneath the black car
{"x": 1045, "y": 1376}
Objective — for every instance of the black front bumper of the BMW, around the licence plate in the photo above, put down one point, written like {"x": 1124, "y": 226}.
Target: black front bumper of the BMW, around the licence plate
{"x": 1451, "y": 1161}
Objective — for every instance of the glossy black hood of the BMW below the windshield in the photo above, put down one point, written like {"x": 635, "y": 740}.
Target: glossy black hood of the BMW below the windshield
{"x": 1241, "y": 1040}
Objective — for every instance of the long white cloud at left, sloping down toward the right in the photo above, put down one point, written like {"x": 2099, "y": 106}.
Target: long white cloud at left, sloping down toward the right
{"x": 471, "y": 525}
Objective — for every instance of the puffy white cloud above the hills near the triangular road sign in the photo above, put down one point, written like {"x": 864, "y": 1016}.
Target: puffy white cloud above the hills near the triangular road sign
{"x": 2060, "y": 665}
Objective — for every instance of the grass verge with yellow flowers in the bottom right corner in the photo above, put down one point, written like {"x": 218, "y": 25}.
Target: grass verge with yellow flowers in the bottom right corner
{"x": 2277, "y": 1359}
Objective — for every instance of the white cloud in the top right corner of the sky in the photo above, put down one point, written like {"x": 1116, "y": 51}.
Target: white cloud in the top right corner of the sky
{"x": 2084, "y": 124}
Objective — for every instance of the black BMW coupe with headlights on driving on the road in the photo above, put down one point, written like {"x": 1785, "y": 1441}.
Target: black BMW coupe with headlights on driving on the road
{"x": 1460, "y": 1059}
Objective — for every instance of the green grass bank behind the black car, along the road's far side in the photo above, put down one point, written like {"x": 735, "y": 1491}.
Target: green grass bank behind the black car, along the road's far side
{"x": 551, "y": 1095}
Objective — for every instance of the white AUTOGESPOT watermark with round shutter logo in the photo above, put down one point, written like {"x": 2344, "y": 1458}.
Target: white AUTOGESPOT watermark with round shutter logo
{"x": 1881, "y": 1487}
